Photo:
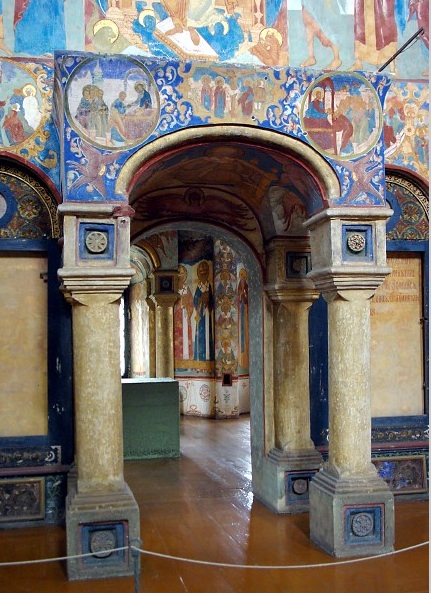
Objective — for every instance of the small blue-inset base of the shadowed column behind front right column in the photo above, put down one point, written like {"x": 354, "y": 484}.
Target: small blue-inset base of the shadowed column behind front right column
{"x": 293, "y": 471}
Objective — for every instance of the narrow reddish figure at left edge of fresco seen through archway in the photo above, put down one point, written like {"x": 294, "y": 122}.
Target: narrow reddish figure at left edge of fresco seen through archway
{"x": 183, "y": 311}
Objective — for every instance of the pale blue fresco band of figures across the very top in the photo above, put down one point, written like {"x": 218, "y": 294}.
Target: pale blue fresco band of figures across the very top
{"x": 320, "y": 34}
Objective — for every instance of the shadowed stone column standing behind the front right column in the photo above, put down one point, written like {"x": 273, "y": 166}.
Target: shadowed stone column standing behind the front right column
{"x": 292, "y": 294}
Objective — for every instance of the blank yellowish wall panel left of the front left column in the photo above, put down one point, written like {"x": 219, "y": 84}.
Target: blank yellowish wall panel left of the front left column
{"x": 23, "y": 345}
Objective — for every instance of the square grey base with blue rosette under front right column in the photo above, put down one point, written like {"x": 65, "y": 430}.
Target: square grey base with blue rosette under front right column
{"x": 351, "y": 517}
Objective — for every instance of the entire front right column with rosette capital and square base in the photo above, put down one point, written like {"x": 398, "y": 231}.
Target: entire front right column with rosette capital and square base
{"x": 351, "y": 507}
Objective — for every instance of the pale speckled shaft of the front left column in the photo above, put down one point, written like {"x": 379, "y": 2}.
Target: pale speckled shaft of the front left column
{"x": 98, "y": 399}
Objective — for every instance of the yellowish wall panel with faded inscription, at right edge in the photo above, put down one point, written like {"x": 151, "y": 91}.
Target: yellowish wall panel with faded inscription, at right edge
{"x": 397, "y": 372}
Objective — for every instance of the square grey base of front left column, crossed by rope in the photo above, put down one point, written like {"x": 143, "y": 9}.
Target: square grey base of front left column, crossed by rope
{"x": 96, "y": 523}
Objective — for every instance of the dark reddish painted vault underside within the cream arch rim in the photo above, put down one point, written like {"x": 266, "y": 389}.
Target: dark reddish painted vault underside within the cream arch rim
{"x": 254, "y": 191}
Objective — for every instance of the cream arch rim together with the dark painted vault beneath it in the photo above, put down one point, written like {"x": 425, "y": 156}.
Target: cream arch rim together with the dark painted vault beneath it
{"x": 225, "y": 174}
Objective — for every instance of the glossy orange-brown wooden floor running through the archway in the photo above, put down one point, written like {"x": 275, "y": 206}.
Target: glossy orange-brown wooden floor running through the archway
{"x": 201, "y": 507}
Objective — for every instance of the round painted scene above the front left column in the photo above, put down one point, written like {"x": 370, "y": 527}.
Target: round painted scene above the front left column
{"x": 112, "y": 103}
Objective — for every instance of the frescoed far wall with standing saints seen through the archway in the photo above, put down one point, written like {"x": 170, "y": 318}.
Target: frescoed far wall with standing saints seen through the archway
{"x": 211, "y": 329}
